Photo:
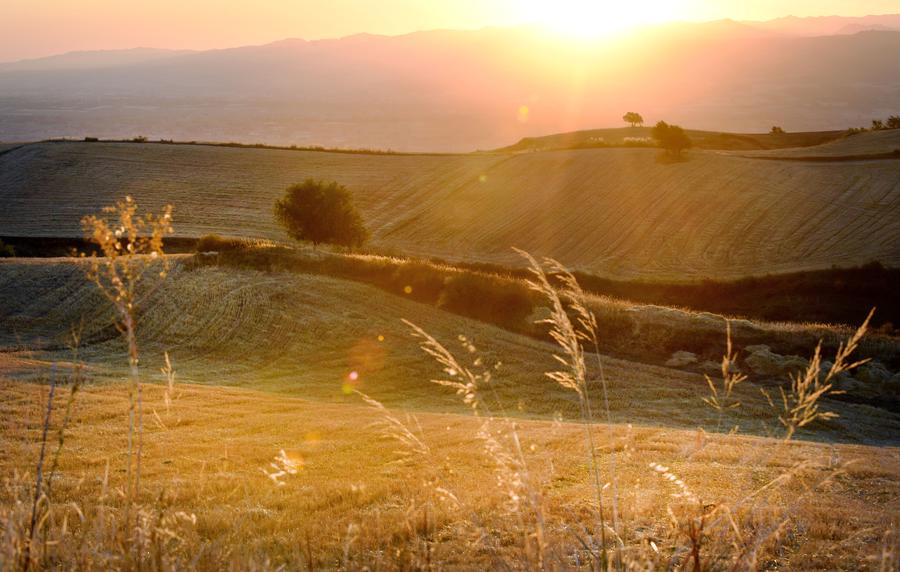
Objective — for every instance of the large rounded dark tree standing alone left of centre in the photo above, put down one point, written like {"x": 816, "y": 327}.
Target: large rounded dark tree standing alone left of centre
{"x": 320, "y": 212}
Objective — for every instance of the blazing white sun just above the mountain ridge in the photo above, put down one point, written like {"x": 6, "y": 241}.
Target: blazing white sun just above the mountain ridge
{"x": 592, "y": 19}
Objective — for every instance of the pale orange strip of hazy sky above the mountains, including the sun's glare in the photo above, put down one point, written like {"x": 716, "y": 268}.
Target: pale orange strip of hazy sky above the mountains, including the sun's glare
{"x": 33, "y": 28}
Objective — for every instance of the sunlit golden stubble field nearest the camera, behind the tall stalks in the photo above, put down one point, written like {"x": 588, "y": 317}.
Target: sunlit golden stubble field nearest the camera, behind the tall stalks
{"x": 359, "y": 498}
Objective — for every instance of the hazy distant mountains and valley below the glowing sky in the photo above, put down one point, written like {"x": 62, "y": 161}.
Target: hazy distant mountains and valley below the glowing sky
{"x": 448, "y": 90}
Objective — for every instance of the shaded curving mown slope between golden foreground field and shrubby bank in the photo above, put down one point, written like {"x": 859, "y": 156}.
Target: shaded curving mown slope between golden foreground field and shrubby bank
{"x": 303, "y": 335}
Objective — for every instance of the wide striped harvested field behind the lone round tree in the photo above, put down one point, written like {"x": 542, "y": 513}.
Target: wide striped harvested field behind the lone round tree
{"x": 618, "y": 212}
